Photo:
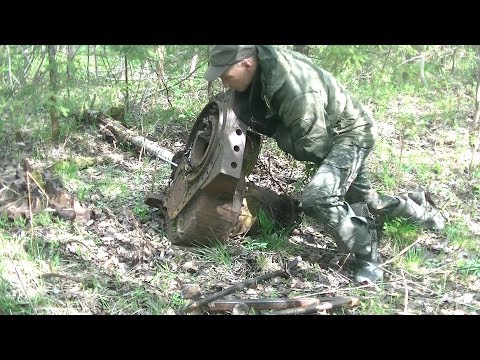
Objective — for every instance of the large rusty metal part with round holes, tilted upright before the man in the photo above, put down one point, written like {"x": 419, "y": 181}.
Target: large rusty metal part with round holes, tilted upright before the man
{"x": 204, "y": 200}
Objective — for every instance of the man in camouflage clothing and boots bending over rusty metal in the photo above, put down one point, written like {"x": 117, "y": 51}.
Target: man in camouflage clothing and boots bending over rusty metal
{"x": 282, "y": 94}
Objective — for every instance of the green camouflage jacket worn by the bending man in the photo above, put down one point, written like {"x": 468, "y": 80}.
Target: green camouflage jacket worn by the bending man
{"x": 311, "y": 109}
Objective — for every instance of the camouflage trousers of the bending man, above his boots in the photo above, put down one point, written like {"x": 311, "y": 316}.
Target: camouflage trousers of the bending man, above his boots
{"x": 342, "y": 179}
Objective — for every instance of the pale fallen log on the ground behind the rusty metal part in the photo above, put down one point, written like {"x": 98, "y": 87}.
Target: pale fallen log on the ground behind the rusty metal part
{"x": 122, "y": 134}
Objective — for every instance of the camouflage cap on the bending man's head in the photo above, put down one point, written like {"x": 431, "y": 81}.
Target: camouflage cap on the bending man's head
{"x": 223, "y": 56}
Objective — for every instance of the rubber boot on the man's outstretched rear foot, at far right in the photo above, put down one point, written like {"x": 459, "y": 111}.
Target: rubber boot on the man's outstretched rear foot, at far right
{"x": 414, "y": 207}
